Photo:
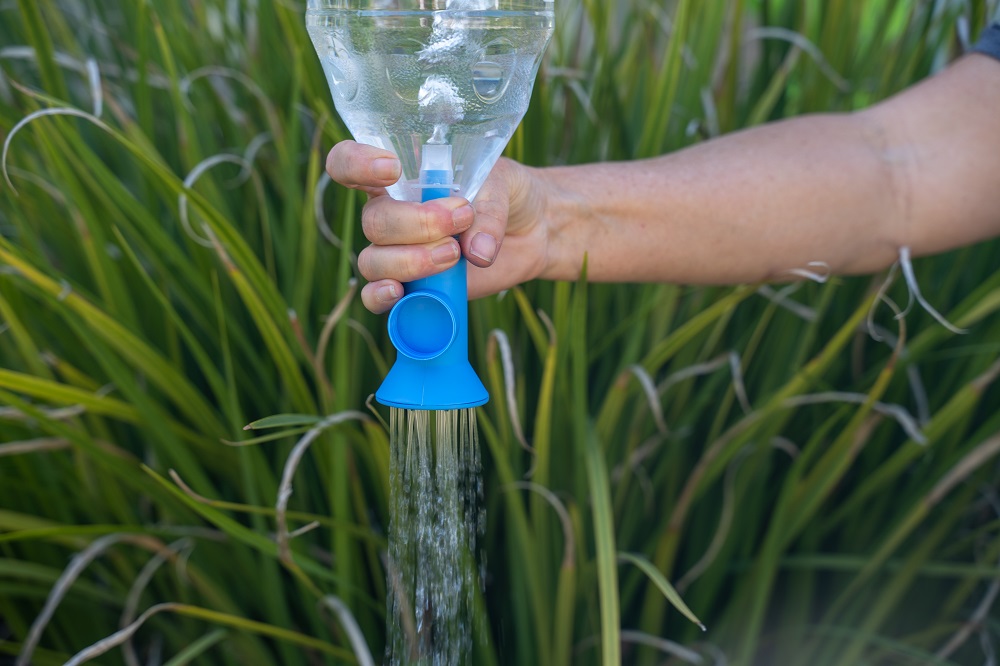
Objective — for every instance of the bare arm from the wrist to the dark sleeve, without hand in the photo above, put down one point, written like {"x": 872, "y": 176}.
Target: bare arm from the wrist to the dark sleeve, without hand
{"x": 837, "y": 189}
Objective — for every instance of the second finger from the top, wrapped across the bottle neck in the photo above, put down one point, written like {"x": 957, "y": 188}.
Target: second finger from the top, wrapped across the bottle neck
{"x": 388, "y": 222}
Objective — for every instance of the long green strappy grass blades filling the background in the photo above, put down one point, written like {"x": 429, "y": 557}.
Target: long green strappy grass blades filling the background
{"x": 801, "y": 528}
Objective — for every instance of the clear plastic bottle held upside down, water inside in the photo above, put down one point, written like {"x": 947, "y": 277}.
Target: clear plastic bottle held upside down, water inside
{"x": 405, "y": 73}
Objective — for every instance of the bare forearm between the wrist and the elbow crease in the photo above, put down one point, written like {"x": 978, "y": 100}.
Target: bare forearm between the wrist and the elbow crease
{"x": 743, "y": 208}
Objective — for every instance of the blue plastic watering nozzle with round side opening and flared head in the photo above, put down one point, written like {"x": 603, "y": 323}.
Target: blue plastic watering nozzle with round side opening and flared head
{"x": 430, "y": 326}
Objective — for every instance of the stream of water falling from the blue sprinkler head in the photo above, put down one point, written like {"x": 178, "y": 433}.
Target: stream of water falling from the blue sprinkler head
{"x": 438, "y": 517}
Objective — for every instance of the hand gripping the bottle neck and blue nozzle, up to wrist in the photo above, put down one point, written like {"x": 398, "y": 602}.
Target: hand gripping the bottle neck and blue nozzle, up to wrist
{"x": 501, "y": 235}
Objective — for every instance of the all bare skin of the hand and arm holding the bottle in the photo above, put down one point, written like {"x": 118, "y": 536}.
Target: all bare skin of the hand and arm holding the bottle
{"x": 921, "y": 169}
